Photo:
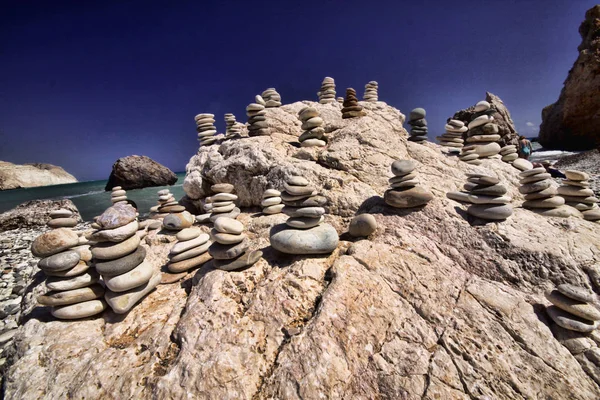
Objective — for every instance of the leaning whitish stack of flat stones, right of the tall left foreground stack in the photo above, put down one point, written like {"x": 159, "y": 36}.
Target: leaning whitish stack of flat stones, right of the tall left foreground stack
{"x": 190, "y": 250}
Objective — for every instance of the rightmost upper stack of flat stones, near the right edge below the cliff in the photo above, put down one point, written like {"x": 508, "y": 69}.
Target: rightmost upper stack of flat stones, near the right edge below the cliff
{"x": 576, "y": 191}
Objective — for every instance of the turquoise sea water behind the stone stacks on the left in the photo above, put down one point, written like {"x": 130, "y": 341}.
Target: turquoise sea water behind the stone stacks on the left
{"x": 89, "y": 197}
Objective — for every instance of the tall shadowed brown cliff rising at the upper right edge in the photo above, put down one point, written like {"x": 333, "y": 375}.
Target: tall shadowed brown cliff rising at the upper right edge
{"x": 573, "y": 122}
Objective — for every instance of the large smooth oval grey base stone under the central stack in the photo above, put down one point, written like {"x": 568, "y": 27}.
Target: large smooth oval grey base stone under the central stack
{"x": 321, "y": 239}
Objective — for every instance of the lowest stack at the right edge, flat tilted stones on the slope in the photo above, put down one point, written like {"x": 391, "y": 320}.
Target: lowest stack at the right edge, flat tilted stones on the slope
{"x": 573, "y": 308}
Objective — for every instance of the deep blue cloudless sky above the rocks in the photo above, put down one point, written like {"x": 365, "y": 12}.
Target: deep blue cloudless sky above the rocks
{"x": 83, "y": 83}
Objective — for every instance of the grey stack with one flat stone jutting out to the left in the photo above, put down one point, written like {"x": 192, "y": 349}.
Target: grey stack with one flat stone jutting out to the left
{"x": 486, "y": 195}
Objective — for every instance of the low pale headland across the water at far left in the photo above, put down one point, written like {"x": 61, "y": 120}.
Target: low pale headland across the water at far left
{"x": 13, "y": 176}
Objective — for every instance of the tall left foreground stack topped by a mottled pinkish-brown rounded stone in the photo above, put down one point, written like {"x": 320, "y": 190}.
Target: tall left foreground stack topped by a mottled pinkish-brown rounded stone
{"x": 120, "y": 259}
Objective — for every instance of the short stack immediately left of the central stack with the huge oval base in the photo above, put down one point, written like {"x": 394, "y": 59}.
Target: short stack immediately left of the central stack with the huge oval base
{"x": 230, "y": 247}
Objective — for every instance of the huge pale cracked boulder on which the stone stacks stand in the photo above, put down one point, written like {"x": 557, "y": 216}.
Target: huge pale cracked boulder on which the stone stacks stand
{"x": 433, "y": 305}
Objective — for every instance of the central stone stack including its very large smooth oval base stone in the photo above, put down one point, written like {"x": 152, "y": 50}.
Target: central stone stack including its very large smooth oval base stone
{"x": 304, "y": 232}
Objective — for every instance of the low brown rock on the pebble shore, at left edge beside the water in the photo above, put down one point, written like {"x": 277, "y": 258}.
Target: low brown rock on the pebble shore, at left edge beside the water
{"x": 34, "y": 213}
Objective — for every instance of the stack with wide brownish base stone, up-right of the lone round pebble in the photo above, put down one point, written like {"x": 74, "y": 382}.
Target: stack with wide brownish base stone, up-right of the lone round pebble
{"x": 404, "y": 191}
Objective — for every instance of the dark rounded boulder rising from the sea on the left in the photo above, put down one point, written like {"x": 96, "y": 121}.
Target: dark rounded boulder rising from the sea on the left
{"x": 136, "y": 172}
